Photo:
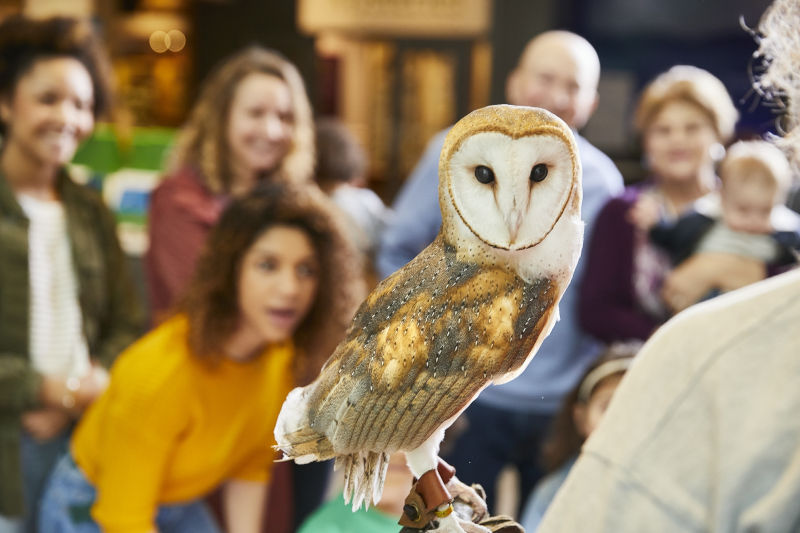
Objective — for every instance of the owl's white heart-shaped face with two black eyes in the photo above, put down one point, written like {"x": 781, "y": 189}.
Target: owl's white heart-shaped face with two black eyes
{"x": 510, "y": 192}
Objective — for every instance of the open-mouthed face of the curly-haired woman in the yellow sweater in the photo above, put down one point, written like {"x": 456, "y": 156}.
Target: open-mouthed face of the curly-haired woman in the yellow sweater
{"x": 277, "y": 285}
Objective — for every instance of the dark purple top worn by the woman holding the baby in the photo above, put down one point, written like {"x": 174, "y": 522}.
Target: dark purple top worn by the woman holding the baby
{"x": 610, "y": 307}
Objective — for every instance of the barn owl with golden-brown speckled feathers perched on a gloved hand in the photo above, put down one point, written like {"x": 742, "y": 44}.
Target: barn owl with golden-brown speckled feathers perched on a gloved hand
{"x": 470, "y": 310}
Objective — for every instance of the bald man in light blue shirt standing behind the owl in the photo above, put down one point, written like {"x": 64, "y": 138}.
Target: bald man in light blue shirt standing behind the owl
{"x": 558, "y": 71}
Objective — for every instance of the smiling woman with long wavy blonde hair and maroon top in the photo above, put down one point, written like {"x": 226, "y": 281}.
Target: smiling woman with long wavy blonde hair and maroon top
{"x": 251, "y": 122}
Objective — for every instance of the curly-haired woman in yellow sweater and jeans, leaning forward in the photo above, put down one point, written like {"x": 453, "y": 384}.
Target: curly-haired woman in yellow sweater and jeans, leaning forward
{"x": 192, "y": 405}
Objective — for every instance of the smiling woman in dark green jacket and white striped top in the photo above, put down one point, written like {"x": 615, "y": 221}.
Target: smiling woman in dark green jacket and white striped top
{"x": 67, "y": 303}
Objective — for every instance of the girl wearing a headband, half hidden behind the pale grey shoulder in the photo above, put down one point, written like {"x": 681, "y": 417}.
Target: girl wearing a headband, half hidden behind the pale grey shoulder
{"x": 581, "y": 412}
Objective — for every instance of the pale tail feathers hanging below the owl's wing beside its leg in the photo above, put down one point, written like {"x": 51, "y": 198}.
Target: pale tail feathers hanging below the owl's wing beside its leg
{"x": 364, "y": 474}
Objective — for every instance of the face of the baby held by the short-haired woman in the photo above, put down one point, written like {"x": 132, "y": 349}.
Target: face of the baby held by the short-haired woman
{"x": 747, "y": 205}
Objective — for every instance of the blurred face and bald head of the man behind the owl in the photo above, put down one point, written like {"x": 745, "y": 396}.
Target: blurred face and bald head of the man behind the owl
{"x": 558, "y": 76}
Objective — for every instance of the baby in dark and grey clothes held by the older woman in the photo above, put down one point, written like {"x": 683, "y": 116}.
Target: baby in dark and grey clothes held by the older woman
{"x": 732, "y": 238}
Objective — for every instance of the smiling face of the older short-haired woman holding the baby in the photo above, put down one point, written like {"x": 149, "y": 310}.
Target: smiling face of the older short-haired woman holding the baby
{"x": 678, "y": 142}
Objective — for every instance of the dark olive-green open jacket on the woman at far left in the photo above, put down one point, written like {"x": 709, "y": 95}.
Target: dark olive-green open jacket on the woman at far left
{"x": 112, "y": 315}
